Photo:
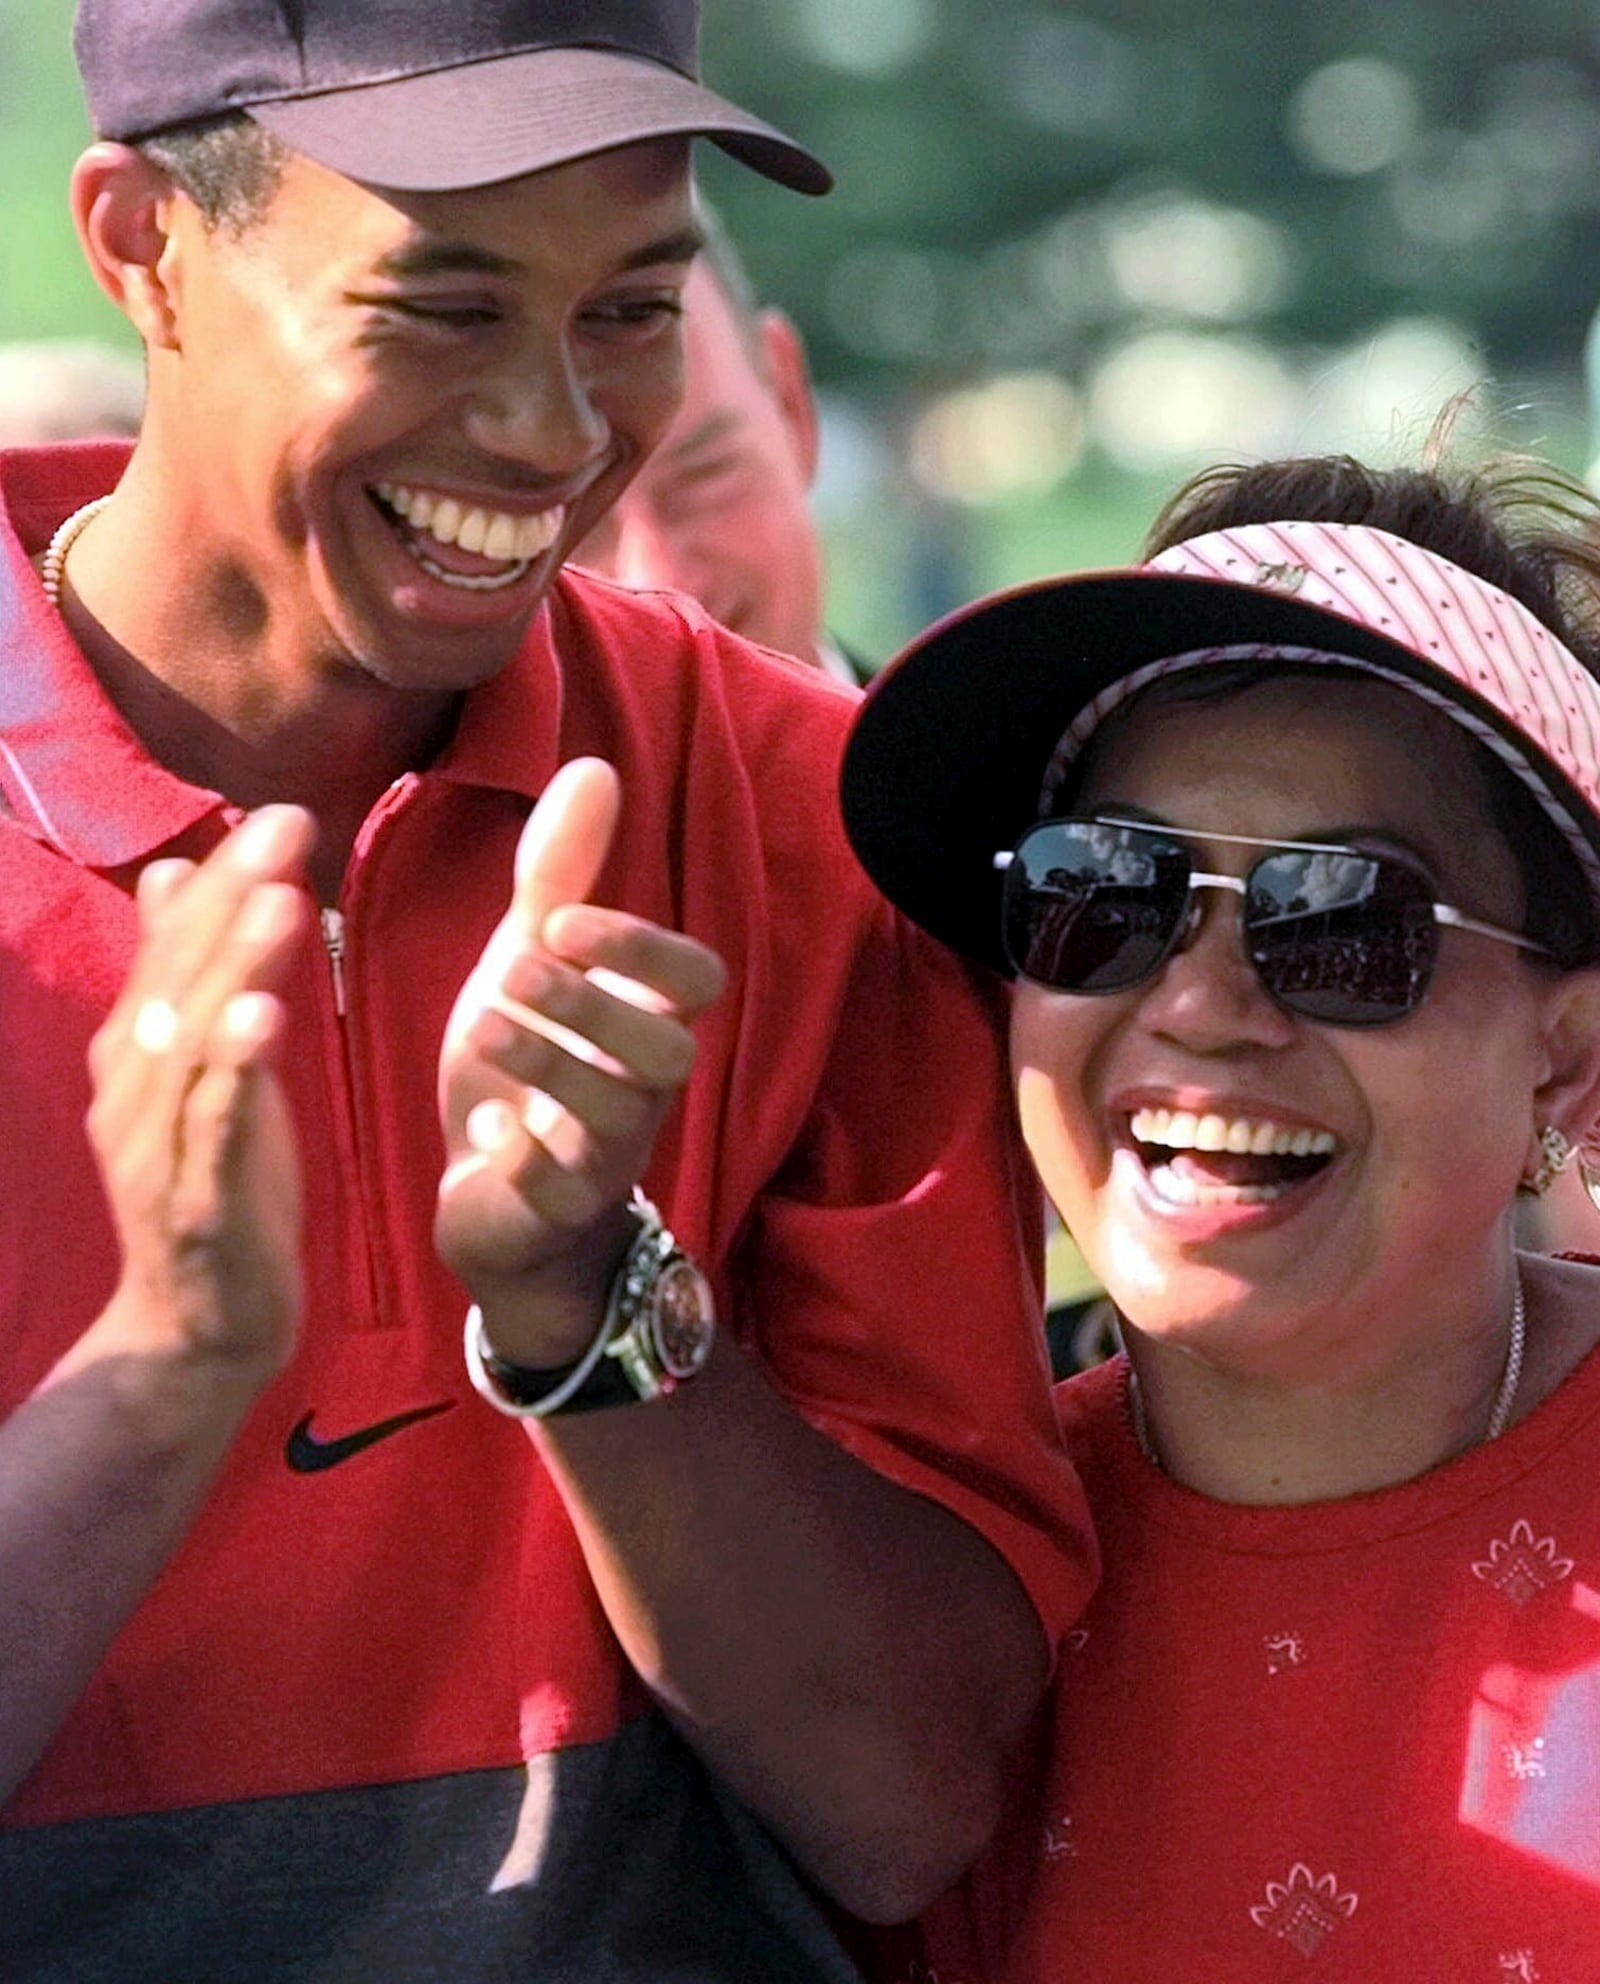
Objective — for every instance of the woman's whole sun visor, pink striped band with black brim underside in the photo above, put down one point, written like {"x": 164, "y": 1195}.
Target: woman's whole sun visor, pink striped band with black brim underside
{"x": 956, "y": 735}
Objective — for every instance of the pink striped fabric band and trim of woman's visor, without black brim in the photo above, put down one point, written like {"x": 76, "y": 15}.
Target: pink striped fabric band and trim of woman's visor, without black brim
{"x": 1478, "y": 640}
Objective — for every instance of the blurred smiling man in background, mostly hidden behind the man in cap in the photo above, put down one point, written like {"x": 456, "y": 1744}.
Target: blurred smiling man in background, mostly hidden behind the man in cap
{"x": 722, "y": 511}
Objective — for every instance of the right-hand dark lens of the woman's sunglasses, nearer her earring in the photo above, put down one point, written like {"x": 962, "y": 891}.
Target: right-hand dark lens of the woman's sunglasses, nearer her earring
{"x": 1341, "y": 937}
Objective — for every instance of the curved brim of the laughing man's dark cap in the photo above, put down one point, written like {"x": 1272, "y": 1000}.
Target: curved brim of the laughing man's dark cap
{"x": 487, "y": 122}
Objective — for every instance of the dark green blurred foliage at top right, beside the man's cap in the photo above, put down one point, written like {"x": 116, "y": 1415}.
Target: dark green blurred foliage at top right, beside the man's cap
{"x": 970, "y": 130}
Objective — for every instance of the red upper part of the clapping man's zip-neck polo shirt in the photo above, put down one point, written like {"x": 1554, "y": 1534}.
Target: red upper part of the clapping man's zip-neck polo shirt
{"x": 841, "y": 1166}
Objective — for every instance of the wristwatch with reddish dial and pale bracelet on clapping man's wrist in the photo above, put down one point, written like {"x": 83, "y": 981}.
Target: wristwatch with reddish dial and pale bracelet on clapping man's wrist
{"x": 656, "y": 1336}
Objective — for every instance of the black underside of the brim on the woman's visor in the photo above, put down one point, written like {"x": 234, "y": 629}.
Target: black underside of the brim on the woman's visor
{"x": 950, "y": 749}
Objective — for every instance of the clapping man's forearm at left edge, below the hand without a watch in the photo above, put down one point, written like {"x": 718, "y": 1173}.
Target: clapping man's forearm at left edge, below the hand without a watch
{"x": 102, "y": 1473}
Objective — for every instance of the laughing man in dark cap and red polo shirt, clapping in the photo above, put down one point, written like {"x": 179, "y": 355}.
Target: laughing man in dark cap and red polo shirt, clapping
{"x": 311, "y": 1662}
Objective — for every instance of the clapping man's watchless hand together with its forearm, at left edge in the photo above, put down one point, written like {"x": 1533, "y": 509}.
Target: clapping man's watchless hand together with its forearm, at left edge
{"x": 108, "y": 1463}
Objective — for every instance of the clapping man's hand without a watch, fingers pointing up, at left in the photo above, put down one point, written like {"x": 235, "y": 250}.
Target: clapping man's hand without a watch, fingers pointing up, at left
{"x": 188, "y": 1118}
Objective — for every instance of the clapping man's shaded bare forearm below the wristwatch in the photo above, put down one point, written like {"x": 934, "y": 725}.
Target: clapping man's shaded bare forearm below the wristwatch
{"x": 853, "y": 1660}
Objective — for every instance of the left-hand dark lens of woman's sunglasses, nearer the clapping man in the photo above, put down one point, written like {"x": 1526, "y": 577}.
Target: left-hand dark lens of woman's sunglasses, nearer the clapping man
{"x": 1093, "y": 908}
